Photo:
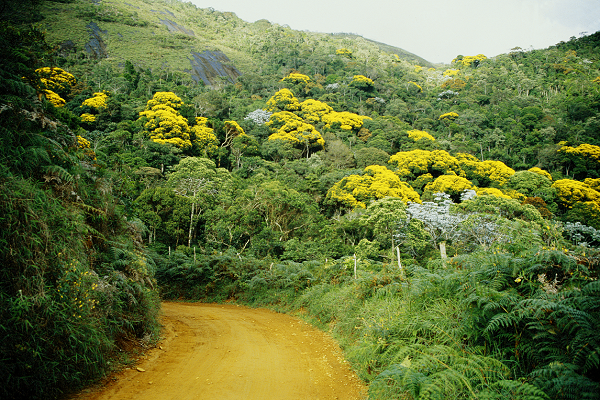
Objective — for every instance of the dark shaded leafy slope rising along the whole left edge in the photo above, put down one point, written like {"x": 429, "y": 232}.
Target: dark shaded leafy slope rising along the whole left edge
{"x": 67, "y": 301}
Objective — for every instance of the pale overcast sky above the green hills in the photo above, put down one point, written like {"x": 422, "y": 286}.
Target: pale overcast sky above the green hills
{"x": 437, "y": 30}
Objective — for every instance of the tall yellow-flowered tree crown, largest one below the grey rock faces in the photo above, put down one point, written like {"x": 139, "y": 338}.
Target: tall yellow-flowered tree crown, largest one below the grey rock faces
{"x": 163, "y": 122}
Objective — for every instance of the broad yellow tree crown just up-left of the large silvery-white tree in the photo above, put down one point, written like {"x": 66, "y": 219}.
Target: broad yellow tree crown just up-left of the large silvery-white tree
{"x": 377, "y": 182}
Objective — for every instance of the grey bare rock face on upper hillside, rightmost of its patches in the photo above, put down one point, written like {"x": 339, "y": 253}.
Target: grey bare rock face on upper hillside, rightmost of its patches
{"x": 209, "y": 66}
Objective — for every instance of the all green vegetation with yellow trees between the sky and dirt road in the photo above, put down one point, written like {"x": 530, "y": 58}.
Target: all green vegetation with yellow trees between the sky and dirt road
{"x": 441, "y": 221}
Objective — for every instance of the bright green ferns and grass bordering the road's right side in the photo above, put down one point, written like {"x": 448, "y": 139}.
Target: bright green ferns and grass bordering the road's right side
{"x": 494, "y": 325}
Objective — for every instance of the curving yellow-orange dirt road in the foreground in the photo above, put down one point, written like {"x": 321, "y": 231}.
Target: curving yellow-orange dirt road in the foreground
{"x": 220, "y": 352}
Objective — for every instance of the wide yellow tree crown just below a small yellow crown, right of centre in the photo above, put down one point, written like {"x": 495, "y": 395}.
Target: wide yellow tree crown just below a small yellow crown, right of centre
{"x": 413, "y": 163}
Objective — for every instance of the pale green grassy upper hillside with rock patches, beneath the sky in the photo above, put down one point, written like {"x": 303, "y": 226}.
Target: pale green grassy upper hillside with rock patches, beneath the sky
{"x": 170, "y": 35}
